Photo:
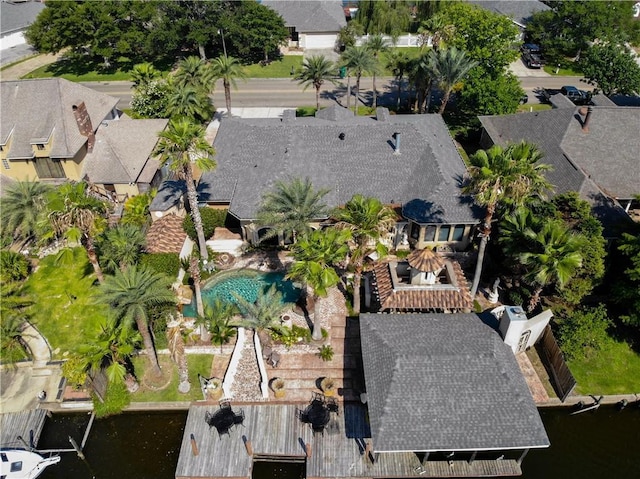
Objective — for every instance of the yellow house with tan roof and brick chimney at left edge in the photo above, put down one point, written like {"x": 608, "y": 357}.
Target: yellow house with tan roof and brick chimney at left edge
{"x": 48, "y": 126}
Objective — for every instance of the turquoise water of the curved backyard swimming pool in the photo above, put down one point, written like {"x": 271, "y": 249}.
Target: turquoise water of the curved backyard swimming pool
{"x": 247, "y": 284}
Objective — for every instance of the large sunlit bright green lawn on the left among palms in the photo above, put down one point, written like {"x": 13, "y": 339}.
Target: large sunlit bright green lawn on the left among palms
{"x": 65, "y": 308}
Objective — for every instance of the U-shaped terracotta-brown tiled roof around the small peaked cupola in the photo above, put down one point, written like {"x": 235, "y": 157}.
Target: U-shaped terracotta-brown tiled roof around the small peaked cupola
{"x": 421, "y": 299}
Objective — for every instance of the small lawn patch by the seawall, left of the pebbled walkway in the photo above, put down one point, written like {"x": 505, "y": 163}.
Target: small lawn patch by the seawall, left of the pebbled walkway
{"x": 198, "y": 364}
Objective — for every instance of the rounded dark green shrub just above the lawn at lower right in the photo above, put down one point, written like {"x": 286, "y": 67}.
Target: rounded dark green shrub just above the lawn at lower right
{"x": 584, "y": 331}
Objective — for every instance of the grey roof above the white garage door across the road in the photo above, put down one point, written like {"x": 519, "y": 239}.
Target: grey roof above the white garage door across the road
{"x": 308, "y": 16}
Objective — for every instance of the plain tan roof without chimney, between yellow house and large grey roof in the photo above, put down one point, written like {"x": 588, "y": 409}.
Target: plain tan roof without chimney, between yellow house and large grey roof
{"x": 123, "y": 150}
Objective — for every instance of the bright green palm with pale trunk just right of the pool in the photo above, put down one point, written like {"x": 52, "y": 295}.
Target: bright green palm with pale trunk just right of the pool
{"x": 315, "y": 256}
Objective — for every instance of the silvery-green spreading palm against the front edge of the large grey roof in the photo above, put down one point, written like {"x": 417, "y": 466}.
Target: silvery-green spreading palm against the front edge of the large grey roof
{"x": 290, "y": 207}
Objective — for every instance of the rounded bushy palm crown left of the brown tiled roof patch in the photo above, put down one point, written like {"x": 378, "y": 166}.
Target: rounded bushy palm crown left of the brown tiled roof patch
{"x": 121, "y": 247}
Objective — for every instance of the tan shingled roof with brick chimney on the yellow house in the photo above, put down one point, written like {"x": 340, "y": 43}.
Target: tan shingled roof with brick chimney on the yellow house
{"x": 33, "y": 110}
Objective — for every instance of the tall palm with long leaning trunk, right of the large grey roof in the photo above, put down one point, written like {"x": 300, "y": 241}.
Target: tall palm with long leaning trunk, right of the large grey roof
{"x": 503, "y": 176}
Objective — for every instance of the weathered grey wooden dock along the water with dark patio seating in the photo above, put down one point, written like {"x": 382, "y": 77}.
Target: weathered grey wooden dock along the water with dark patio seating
{"x": 275, "y": 433}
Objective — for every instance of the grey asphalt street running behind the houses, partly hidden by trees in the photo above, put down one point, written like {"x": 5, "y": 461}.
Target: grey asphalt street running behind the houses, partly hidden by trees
{"x": 284, "y": 92}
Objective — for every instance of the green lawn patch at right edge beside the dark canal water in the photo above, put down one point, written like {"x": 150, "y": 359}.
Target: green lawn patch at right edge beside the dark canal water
{"x": 615, "y": 369}
